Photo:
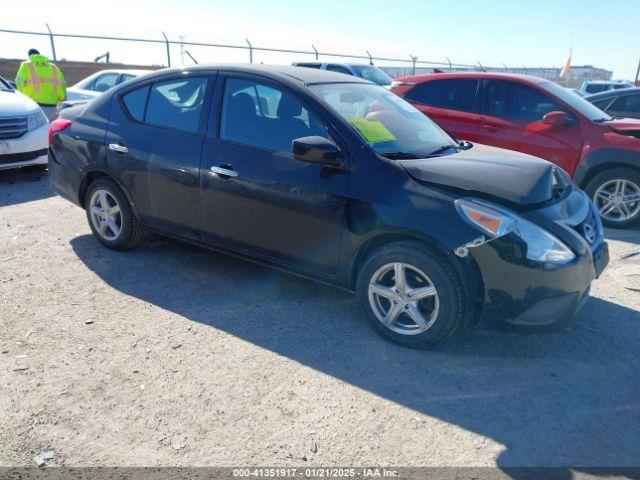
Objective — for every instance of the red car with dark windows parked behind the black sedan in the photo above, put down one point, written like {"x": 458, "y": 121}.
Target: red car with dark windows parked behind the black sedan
{"x": 541, "y": 118}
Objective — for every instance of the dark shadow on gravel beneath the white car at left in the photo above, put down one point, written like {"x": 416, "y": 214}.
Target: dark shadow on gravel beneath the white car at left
{"x": 23, "y": 185}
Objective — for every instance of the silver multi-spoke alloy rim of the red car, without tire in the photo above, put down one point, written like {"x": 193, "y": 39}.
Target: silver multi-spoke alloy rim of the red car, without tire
{"x": 618, "y": 200}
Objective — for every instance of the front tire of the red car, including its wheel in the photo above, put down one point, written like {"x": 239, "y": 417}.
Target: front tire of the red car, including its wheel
{"x": 606, "y": 183}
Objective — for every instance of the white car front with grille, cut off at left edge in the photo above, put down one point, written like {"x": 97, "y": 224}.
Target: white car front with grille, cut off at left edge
{"x": 24, "y": 130}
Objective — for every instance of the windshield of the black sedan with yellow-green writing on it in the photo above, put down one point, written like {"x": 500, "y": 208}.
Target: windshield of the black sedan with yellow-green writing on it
{"x": 391, "y": 126}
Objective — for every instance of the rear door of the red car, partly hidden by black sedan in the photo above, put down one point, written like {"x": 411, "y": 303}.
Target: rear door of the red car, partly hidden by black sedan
{"x": 451, "y": 103}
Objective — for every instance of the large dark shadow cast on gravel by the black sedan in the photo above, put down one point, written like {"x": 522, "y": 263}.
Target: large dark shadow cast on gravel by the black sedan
{"x": 568, "y": 398}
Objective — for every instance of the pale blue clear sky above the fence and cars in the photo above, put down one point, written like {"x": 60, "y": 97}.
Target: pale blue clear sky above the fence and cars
{"x": 495, "y": 33}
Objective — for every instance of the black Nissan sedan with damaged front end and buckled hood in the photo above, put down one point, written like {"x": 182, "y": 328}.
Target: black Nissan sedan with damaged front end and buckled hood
{"x": 338, "y": 179}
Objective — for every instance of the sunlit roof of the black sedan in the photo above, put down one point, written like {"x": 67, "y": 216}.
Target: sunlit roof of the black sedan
{"x": 284, "y": 73}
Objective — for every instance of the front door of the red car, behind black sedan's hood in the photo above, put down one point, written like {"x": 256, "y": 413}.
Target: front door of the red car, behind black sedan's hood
{"x": 511, "y": 118}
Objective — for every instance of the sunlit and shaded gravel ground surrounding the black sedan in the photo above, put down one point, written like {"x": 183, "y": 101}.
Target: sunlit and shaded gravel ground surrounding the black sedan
{"x": 171, "y": 355}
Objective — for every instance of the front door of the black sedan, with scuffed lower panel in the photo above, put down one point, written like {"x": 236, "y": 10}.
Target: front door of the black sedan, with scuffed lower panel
{"x": 263, "y": 201}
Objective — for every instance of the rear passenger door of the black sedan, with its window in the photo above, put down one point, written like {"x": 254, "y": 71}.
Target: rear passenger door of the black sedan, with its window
{"x": 155, "y": 142}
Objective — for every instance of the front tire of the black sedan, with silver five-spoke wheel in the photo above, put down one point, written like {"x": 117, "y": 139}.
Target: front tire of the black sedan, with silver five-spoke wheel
{"x": 442, "y": 313}
